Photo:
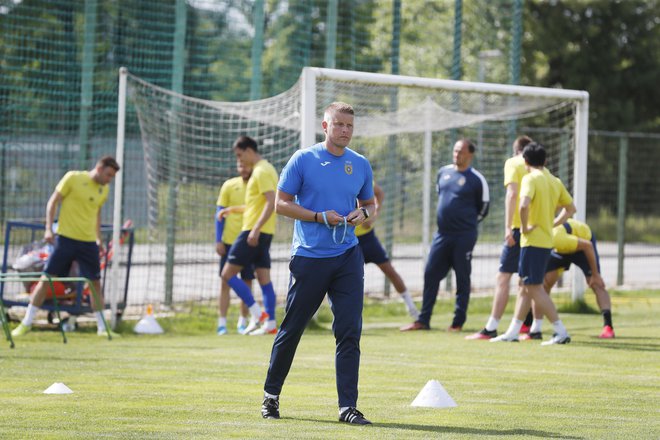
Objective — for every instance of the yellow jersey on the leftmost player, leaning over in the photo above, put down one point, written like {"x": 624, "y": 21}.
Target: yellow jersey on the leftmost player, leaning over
{"x": 82, "y": 198}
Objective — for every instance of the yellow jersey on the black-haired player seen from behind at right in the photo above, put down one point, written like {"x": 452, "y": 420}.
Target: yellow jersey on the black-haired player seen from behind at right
{"x": 546, "y": 193}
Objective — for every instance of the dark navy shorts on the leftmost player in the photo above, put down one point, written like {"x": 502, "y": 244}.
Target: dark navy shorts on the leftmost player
{"x": 68, "y": 250}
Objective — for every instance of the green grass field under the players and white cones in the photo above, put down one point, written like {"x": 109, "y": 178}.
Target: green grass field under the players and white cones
{"x": 190, "y": 383}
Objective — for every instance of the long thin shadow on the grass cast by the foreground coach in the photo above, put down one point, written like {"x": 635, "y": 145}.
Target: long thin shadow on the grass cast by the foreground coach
{"x": 454, "y": 429}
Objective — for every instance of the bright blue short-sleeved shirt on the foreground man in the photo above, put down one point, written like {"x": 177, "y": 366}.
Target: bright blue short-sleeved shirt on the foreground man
{"x": 321, "y": 181}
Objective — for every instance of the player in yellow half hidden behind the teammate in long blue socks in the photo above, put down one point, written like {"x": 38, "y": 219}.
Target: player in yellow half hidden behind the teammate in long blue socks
{"x": 228, "y": 223}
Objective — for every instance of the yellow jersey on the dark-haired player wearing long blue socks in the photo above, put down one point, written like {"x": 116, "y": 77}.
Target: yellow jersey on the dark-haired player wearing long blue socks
{"x": 264, "y": 178}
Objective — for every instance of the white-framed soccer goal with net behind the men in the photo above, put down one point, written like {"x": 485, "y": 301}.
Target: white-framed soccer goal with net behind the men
{"x": 406, "y": 127}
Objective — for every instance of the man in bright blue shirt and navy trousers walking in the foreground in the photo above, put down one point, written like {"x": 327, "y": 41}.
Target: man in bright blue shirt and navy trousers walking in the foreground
{"x": 318, "y": 188}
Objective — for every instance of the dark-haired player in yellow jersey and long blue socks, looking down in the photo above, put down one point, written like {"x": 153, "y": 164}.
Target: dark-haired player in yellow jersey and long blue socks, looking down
{"x": 252, "y": 246}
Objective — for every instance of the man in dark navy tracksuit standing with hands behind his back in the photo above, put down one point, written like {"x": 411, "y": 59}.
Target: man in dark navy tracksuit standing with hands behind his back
{"x": 463, "y": 201}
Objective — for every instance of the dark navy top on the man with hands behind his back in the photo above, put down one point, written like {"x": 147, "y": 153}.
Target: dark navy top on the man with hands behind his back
{"x": 463, "y": 199}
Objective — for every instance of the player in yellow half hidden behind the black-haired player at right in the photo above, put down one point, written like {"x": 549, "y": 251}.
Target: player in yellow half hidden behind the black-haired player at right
{"x": 514, "y": 170}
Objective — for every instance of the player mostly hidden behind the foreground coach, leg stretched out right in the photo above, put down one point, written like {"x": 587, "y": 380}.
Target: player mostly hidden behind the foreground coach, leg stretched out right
{"x": 374, "y": 252}
